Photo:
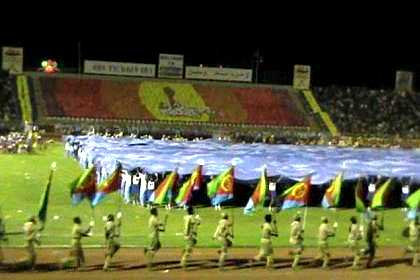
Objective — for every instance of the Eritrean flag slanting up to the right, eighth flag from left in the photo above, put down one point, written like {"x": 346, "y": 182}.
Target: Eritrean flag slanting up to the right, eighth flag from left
{"x": 298, "y": 194}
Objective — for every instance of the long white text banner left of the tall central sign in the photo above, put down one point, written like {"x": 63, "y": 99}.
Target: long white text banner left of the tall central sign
{"x": 119, "y": 68}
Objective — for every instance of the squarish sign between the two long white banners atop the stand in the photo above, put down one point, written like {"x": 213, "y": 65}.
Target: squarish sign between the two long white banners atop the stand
{"x": 171, "y": 66}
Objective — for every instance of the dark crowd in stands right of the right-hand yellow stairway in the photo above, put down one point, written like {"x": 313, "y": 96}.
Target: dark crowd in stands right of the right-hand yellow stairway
{"x": 362, "y": 111}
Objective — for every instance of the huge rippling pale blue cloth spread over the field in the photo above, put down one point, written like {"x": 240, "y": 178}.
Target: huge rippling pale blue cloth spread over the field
{"x": 290, "y": 161}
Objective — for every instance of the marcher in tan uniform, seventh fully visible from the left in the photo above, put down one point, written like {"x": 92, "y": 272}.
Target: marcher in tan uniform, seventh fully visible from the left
{"x": 268, "y": 229}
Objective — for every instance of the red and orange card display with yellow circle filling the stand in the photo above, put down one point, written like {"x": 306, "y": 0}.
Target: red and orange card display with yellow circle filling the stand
{"x": 174, "y": 101}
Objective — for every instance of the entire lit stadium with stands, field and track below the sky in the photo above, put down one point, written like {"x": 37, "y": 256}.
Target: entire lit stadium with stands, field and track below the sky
{"x": 120, "y": 137}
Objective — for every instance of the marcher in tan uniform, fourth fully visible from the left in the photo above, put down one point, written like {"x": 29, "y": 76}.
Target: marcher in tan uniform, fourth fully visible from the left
{"x": 155, "y": 226}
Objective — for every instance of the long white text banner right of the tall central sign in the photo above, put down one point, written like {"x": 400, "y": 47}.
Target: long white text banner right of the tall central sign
{"x": 218, "y": 74}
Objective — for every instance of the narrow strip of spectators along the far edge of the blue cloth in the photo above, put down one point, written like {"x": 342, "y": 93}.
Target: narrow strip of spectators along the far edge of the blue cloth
{"x": 287, "y": 137}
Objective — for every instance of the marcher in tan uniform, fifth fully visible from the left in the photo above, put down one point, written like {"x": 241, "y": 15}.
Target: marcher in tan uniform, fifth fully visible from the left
{"x": 190, "y": 234}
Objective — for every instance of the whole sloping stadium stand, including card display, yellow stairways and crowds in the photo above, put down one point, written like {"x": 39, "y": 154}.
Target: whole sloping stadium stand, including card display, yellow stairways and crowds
{"x": 68, "y": 98}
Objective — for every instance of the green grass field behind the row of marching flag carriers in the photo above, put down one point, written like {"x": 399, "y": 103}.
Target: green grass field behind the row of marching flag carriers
{"x": 23, "y": 177}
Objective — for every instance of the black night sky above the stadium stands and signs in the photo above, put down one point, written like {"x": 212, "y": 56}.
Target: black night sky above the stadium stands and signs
{"x": 346, "y": 49}
